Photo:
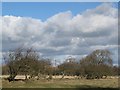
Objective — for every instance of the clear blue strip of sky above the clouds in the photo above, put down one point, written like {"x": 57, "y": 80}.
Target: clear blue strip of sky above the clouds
{"x": 43, "y": 10}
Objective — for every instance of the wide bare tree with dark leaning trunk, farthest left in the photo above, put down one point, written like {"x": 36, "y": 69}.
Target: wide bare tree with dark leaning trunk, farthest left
{"x": 21, "y": 60}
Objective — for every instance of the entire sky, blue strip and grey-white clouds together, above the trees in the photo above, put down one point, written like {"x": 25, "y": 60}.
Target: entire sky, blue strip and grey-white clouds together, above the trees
{"x": 58, "y": 30}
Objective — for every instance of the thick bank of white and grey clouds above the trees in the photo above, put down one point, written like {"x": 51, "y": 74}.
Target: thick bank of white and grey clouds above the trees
{"x": 64, "y": 33}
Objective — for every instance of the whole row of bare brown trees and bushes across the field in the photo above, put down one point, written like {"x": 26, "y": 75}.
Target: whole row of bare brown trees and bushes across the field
{"x": 26, "y": 61}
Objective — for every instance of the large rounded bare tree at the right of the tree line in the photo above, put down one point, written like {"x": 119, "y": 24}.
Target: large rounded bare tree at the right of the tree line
{"x": 97, "y": 64}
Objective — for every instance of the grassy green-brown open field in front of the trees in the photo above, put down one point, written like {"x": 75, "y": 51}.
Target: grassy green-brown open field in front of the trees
{"x": 64, "y": 83}
